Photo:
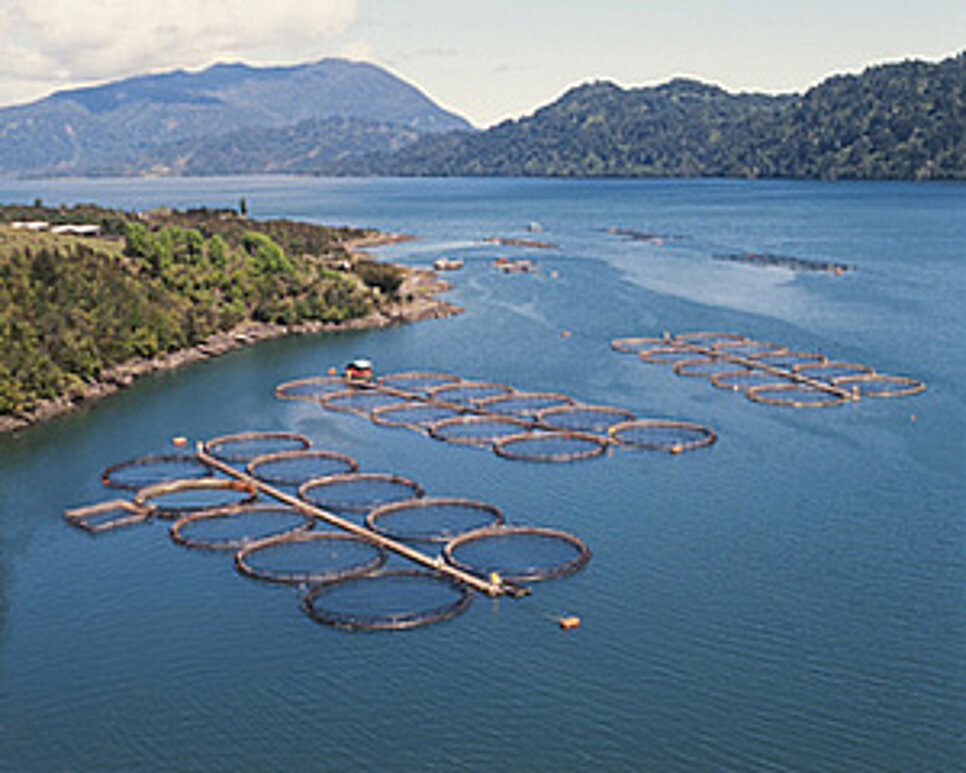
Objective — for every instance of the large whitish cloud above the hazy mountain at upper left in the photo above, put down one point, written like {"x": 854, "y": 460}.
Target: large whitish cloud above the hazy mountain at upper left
{"x": 50, "y": 40}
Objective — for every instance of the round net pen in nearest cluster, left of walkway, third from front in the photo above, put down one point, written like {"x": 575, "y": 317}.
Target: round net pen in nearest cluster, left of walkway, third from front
{"x": 231, "y": 528}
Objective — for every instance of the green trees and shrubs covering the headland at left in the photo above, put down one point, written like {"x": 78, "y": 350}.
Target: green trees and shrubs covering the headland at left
{"x": 72, "y": 306}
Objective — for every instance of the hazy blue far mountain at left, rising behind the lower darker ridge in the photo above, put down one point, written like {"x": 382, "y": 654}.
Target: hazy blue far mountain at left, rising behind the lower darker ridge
{"x": 110, "y": 126}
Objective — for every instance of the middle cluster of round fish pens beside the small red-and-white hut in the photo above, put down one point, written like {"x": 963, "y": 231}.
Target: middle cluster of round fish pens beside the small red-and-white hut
{"x": 530, "y": 426}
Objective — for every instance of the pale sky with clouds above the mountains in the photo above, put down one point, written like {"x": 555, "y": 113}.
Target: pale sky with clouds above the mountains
{"x": 487, "y": 60}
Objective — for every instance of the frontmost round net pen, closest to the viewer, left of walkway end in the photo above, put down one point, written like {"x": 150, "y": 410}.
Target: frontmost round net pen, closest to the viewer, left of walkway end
{"x": 386, "y": 600}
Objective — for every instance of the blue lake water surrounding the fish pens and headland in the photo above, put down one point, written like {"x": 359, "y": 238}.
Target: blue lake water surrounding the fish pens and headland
{"x": 790, "y": 599}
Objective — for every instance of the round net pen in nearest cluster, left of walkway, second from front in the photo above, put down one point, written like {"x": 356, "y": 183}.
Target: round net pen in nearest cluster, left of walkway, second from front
{"x": 312, "y": 556}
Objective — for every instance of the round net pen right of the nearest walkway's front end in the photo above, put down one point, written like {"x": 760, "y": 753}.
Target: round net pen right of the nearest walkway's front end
{"x": 517, "y": 553}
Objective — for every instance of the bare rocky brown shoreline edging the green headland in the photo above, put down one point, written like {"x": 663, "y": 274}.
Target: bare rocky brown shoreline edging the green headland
{"x": 424, "y": 285}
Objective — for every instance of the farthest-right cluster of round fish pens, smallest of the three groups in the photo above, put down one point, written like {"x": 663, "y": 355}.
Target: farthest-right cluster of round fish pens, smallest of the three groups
{"x": 767, "y": 372}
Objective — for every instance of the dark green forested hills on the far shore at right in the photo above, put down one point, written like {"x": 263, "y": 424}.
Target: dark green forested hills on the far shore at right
{"x": 899, "y": 121}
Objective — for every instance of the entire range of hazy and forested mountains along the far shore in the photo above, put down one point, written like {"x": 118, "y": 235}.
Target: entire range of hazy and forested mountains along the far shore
{"x": 897, "y": 121}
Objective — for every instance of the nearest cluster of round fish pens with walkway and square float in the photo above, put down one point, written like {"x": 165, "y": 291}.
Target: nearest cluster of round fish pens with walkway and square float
{"x": 214, "y": 504}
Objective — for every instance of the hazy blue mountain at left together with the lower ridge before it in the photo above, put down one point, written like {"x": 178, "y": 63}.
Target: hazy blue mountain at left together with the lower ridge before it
{"x": 176, "y": 122}
